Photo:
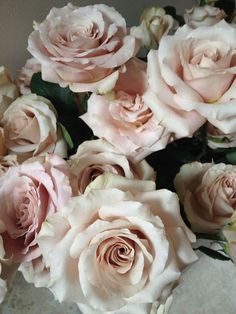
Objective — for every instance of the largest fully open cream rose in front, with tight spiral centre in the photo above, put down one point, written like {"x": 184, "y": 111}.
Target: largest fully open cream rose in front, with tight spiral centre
{"x": 109, "y": 248}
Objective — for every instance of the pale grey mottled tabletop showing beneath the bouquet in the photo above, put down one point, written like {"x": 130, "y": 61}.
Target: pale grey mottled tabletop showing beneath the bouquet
{"x": 207, "y": 287}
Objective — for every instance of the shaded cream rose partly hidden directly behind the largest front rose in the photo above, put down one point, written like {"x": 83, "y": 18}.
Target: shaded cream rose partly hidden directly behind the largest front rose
{"x": 95, "y": 158}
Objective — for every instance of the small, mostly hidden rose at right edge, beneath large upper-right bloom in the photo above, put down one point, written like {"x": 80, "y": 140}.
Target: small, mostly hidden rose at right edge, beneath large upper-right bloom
{"x": 217, "y": 139}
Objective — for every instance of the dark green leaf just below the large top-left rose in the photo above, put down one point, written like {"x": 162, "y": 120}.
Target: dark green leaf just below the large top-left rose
{"x": 63, "y": 99}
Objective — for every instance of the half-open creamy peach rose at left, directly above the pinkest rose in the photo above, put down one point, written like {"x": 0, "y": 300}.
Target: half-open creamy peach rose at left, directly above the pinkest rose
{"x": 30, "y": 127}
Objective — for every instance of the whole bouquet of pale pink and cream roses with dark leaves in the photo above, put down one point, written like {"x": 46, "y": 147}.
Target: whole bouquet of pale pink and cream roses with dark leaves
{"x": 82, "y": 212}
